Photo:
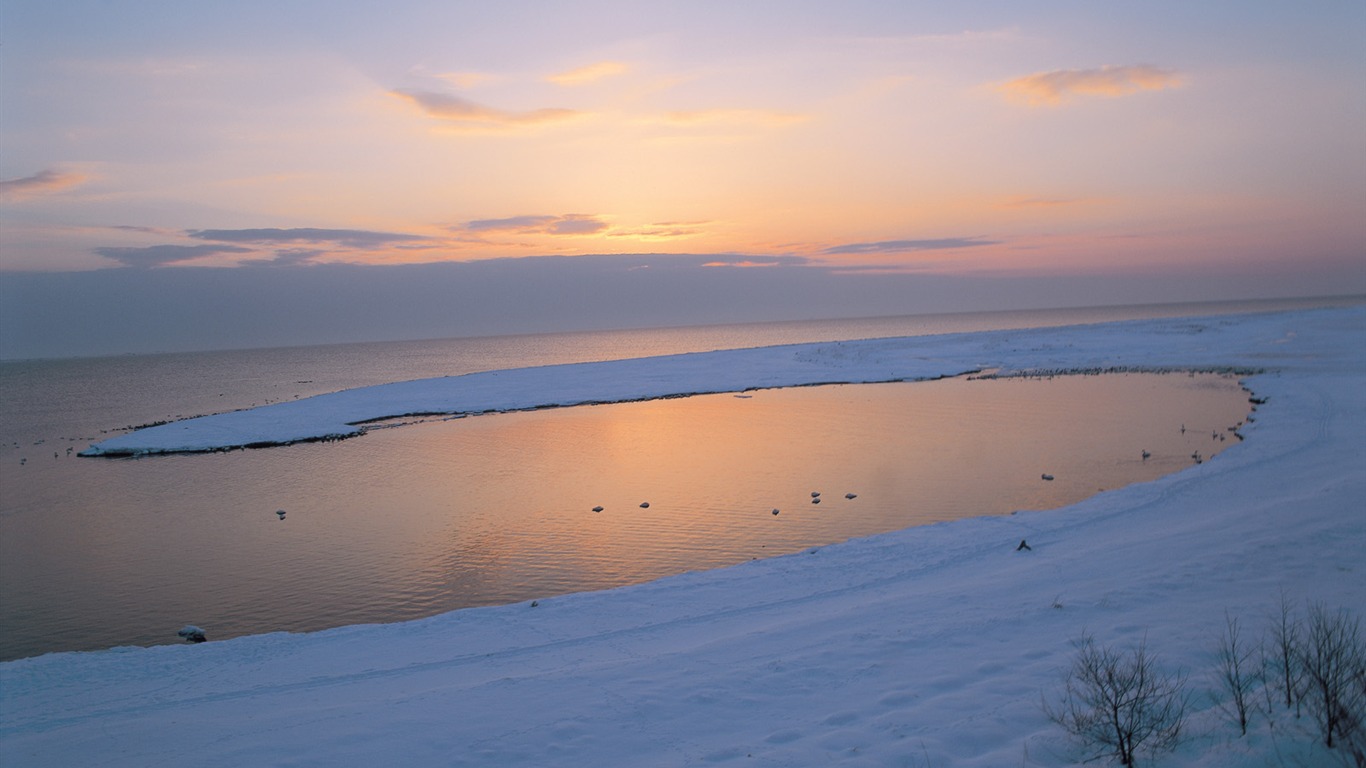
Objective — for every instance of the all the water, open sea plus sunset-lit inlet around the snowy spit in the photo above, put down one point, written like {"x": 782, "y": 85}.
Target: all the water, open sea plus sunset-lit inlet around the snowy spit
{"x": 447, "y": 515}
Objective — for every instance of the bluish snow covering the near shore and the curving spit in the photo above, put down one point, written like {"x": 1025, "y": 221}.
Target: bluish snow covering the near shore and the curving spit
{"x": 925, "y": 647}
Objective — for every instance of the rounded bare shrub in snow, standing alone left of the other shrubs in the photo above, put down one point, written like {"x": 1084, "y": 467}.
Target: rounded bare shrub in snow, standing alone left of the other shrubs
{"x": 1119, "y": 704}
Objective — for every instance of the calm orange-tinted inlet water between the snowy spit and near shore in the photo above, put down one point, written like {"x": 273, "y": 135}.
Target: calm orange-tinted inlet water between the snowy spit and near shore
{"x": 495, "y": 509}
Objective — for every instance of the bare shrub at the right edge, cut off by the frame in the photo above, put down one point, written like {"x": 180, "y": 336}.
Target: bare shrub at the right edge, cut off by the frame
{"x": 1334, "y": 663}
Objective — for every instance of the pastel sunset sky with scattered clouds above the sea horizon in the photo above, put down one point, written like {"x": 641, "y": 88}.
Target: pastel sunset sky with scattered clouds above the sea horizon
{"x": 189, "y": 176}
